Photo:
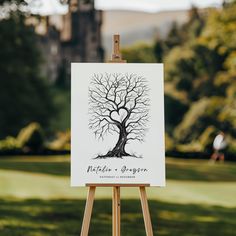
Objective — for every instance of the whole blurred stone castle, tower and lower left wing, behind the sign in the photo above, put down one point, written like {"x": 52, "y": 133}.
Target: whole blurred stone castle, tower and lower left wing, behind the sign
{"x": 74, "y": 37}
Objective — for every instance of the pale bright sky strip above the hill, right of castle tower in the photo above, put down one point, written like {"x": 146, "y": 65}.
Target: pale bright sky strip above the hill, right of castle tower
{"x": 153, "y": 5}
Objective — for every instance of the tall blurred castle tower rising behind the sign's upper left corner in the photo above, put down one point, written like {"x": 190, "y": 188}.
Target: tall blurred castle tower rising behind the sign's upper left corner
{"x": 81, "y": 33}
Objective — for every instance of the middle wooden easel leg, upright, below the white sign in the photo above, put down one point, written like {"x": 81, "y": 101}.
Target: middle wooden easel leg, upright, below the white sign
{"x": 116, "y": 211}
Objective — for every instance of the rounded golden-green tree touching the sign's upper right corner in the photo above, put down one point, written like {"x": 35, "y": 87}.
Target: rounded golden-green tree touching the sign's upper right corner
{"x": 193, "y": 70}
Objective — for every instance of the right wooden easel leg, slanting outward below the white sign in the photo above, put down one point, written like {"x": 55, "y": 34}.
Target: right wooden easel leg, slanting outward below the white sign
{"x": 146, "y": 213}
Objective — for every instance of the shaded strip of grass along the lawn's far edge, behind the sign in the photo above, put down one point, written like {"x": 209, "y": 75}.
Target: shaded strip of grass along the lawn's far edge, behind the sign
{"x": 176, "y": 169}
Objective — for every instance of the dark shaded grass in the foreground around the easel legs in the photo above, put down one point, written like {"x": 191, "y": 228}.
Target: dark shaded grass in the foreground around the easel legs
{"x": 64, "y": 217}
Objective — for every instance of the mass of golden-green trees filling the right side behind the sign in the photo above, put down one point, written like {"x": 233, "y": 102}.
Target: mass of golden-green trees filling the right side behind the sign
{"x": 200, "y": 75}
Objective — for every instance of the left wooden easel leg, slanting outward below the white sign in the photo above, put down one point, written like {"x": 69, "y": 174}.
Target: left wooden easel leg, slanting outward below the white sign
{"x": 88, "y": 211}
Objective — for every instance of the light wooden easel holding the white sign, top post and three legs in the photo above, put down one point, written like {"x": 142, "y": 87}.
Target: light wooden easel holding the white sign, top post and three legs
{"x": 116, "y": 58}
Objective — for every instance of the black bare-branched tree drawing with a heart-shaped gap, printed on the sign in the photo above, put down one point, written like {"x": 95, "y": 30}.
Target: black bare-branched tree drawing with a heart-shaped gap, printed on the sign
{"x": 118, "y": 103}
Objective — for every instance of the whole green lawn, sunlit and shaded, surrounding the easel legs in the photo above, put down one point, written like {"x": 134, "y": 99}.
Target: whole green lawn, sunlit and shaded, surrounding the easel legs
{"x": 35, "y": 199}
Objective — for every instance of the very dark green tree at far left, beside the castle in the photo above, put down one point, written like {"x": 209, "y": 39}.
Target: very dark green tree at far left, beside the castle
{"x": 24, "y": 94}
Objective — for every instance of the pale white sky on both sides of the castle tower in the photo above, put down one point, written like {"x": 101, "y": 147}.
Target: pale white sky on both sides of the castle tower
{"x": 49, "y": 7}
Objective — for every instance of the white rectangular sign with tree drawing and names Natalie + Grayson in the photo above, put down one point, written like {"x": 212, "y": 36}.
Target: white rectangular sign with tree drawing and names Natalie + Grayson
{"x": 117, "y": 124}
